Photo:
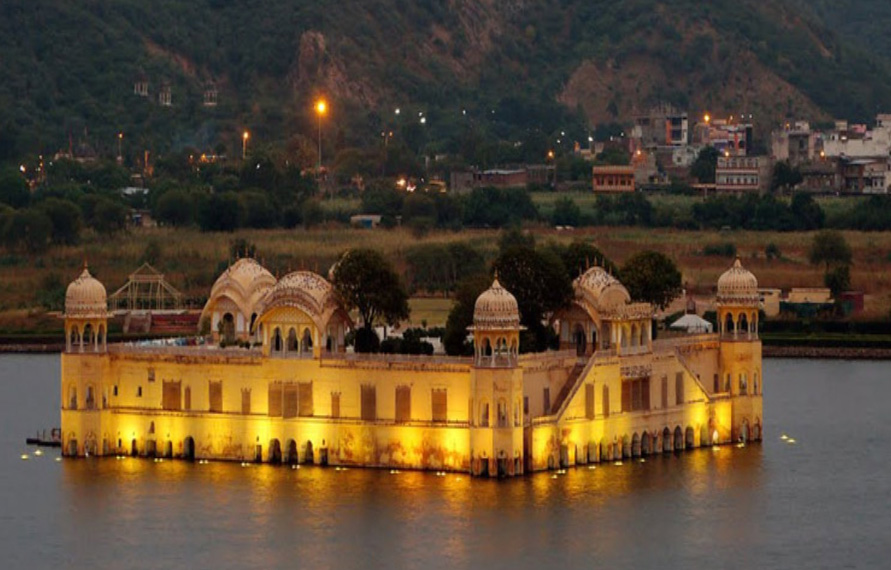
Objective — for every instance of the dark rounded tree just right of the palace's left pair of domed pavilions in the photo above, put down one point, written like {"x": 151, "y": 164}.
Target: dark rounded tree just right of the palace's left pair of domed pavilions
{"x": 366, "y": 281}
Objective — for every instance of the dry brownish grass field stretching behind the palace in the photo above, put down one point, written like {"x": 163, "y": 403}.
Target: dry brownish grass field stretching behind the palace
{"x": 192, "y": 260}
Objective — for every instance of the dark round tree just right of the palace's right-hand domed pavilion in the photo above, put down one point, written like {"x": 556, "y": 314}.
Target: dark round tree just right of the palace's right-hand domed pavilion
{"x": 651, "y": 277}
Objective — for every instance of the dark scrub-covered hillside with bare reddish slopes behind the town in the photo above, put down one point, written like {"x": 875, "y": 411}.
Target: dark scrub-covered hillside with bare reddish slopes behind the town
{"x": 514, "y": 70}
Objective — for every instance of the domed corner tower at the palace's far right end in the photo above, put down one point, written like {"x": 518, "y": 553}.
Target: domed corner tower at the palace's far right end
{"x": 740, "y": 353}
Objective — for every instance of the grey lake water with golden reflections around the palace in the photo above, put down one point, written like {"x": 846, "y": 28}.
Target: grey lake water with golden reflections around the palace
{"x": 823, "y": 502}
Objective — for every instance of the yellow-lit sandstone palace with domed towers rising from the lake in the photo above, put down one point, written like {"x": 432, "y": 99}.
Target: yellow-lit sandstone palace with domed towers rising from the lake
{"x": 284, "y": 389}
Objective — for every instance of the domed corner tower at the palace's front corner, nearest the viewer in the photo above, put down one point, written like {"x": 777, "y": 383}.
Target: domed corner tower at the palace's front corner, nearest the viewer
{"x": 496, "y": 386}
